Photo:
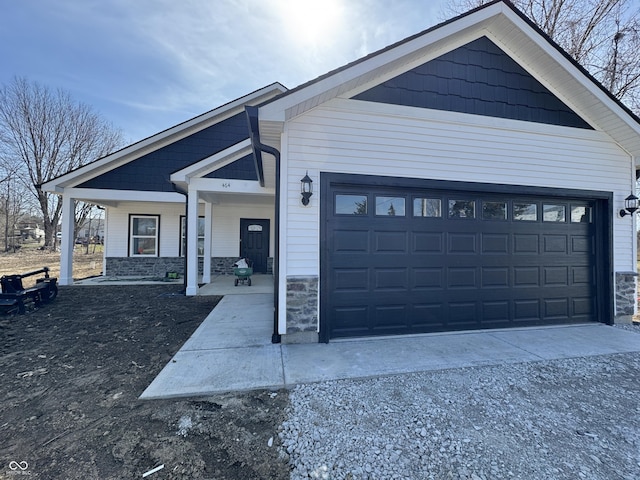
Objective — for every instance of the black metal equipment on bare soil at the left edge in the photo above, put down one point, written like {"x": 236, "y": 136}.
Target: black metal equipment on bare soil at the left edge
{"x": 14, "y": 295}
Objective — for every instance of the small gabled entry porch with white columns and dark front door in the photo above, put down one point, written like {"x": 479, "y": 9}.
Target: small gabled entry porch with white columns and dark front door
{"x": 225, "y": 217}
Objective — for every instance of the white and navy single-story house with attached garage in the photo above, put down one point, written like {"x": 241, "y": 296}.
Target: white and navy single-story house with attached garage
{"x": 470, "y": 176}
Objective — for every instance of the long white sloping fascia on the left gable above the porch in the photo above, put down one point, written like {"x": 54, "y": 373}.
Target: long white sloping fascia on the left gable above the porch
{"x": 161, "y": 139}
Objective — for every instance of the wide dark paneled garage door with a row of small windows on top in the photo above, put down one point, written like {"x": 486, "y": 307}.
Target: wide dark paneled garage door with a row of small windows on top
{"x": 412, "y": 259}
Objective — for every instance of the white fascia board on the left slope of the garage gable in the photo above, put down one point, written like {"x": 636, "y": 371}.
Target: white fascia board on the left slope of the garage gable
{"x": 276, "y": 110}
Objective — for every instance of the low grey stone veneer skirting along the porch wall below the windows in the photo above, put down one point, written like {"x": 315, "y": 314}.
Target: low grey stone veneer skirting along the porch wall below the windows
{"x": 159, "y": 266}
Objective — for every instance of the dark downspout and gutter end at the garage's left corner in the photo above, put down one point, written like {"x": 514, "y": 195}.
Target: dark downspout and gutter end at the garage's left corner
{"x": 258, "y": 147}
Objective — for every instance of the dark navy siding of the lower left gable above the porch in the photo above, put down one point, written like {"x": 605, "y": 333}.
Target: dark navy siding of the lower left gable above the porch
{"x": 151, "y": 172}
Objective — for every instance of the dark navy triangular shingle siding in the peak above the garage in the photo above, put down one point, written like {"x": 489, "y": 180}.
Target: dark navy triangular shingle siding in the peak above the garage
{"x": 477, "y": 78}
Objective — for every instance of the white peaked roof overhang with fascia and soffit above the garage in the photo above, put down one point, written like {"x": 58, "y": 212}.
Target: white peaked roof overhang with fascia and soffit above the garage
{"x": 503, "y": 25}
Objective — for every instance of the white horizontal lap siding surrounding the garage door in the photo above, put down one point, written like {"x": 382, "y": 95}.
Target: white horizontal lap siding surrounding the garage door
{"x": 376, "y": 139}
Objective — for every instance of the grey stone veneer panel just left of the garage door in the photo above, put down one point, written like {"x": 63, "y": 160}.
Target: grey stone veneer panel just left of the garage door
{"x": 302, "y": 304}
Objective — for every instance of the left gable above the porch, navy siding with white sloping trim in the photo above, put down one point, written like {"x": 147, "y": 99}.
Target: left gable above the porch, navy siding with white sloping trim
{"x": 148, "y": 164}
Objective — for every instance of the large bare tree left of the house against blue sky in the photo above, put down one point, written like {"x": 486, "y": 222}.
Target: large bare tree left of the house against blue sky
{"x": 48, "y": 134}
